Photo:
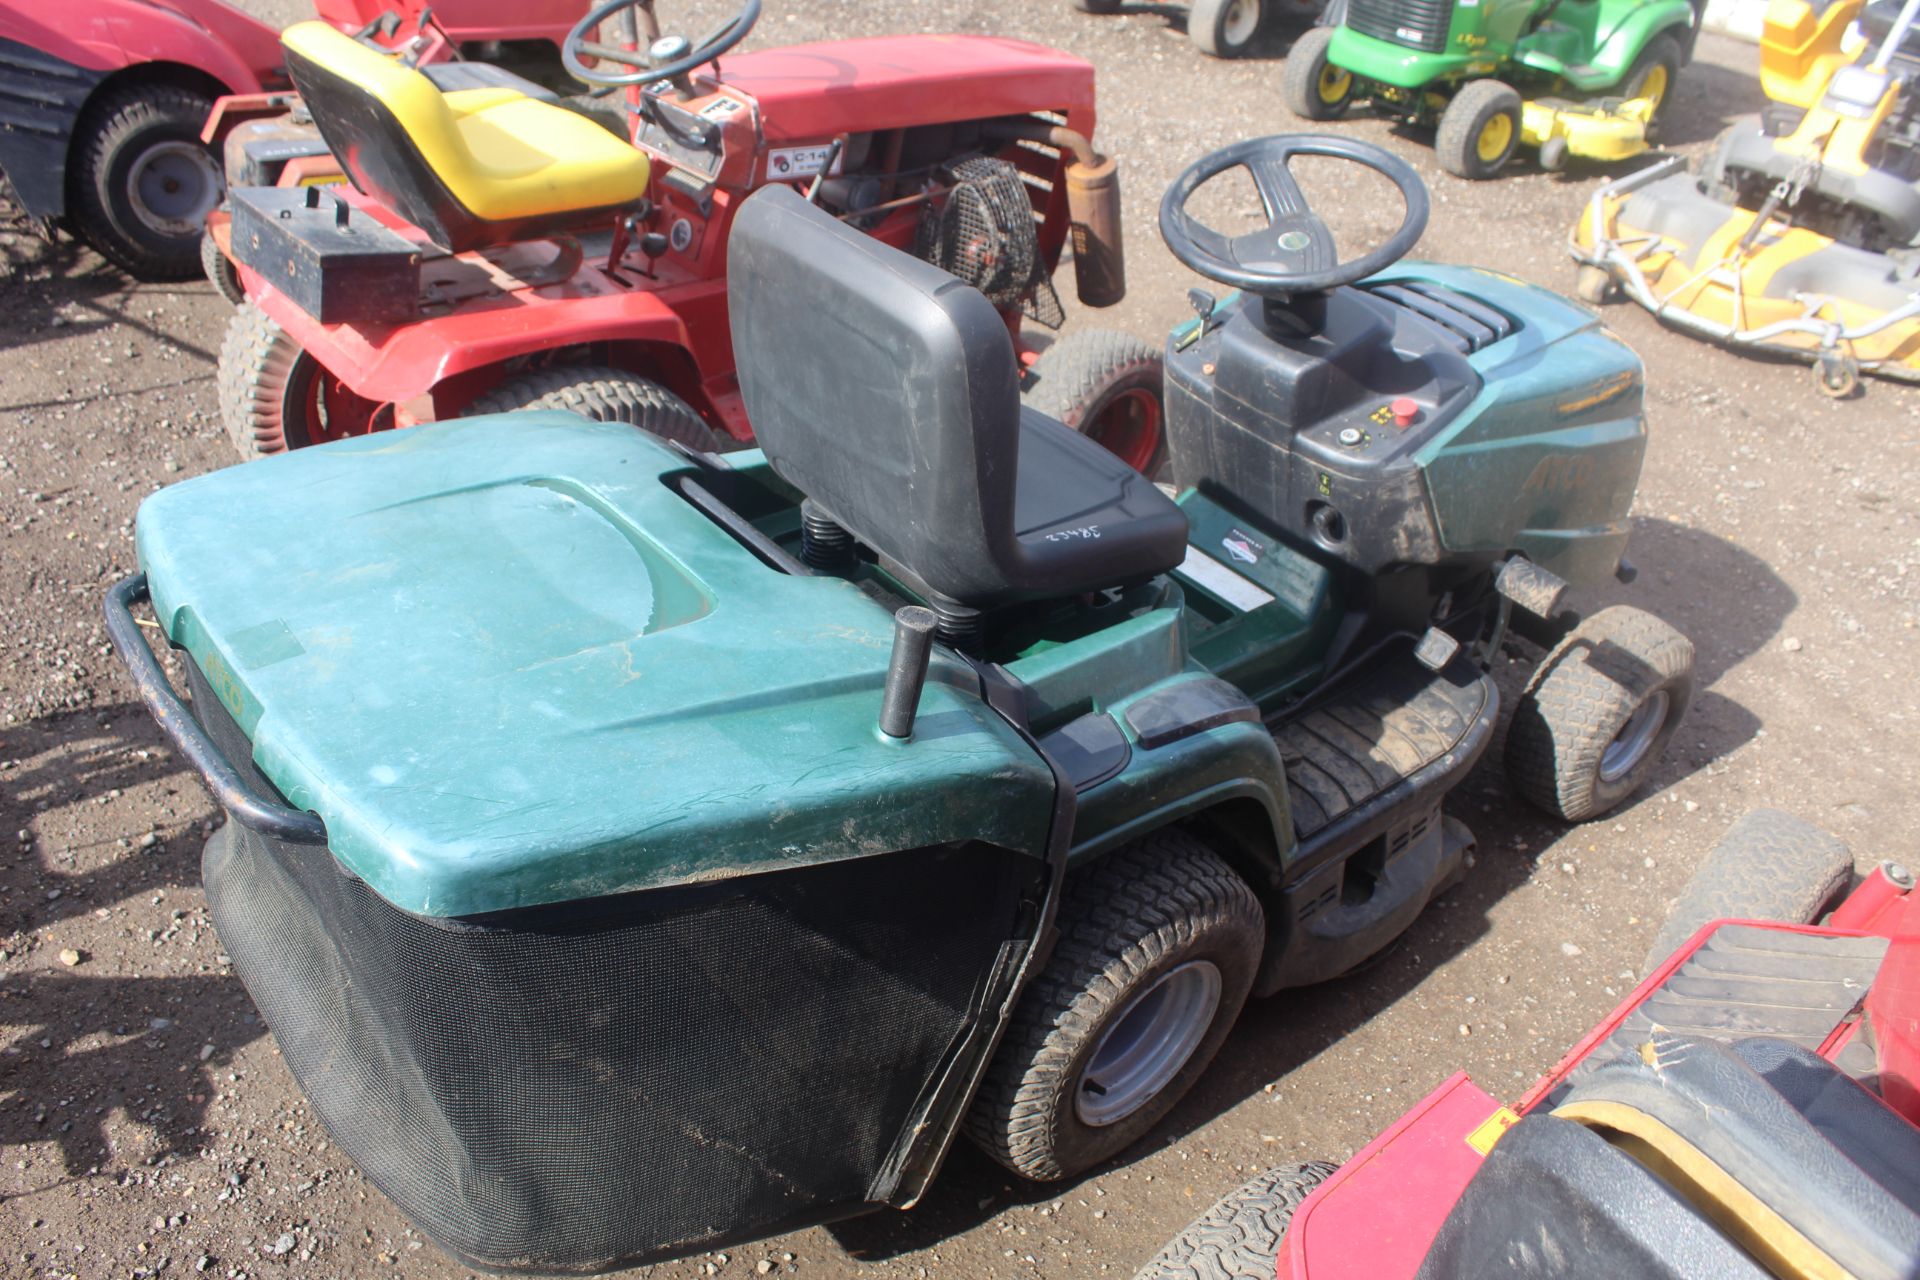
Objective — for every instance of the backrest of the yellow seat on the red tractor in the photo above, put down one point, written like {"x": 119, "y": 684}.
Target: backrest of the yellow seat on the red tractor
{"x": 389, "y": 126}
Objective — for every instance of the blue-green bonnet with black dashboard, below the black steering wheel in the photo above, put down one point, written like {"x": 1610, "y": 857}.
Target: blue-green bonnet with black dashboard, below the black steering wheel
{"x": 1443, "y": 417}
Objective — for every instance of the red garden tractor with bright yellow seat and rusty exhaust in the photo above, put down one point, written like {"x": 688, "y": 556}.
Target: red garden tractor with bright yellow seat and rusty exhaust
{"x": 502, "y": 250}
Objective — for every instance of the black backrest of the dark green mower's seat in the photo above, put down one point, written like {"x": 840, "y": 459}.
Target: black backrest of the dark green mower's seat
{"x": 882, "y": 389}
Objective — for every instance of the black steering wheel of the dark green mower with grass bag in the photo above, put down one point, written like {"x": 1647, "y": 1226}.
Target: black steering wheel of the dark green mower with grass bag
{"x": 1295, "y": 254}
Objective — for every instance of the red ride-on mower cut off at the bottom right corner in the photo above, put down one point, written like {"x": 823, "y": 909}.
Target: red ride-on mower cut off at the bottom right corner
{"x": 1748, "y": 1112}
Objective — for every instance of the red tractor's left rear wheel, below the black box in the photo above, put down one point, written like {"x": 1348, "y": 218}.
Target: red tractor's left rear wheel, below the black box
{"x": 276, "y": 396}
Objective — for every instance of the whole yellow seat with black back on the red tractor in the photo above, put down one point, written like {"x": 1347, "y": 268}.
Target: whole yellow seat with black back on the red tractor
{"x": 469, "y": 168}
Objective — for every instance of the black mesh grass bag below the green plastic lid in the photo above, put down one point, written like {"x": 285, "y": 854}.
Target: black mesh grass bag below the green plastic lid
{"x": 606, "y": 1083}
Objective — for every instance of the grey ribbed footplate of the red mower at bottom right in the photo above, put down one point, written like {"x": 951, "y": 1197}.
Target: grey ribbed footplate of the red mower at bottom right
{"x": 1756, "y": 982}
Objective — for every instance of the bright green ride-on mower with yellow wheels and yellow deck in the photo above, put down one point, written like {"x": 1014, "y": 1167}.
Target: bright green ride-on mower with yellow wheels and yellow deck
{"x": 1568, "y": 78}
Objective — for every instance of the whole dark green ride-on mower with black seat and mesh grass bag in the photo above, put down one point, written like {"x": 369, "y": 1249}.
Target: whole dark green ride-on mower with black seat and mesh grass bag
{"x": 638, "y": 851}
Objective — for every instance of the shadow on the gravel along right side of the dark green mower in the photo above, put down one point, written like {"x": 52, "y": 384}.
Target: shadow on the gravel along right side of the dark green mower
{"x": 1719, "y": 594}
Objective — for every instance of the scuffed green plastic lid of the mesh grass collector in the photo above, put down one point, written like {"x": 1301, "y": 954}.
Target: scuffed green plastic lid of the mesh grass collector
{"x": 508, "y": 665}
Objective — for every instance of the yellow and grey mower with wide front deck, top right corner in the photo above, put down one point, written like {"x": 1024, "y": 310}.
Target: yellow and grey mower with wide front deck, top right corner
{"x": 1802, "y": 229}
